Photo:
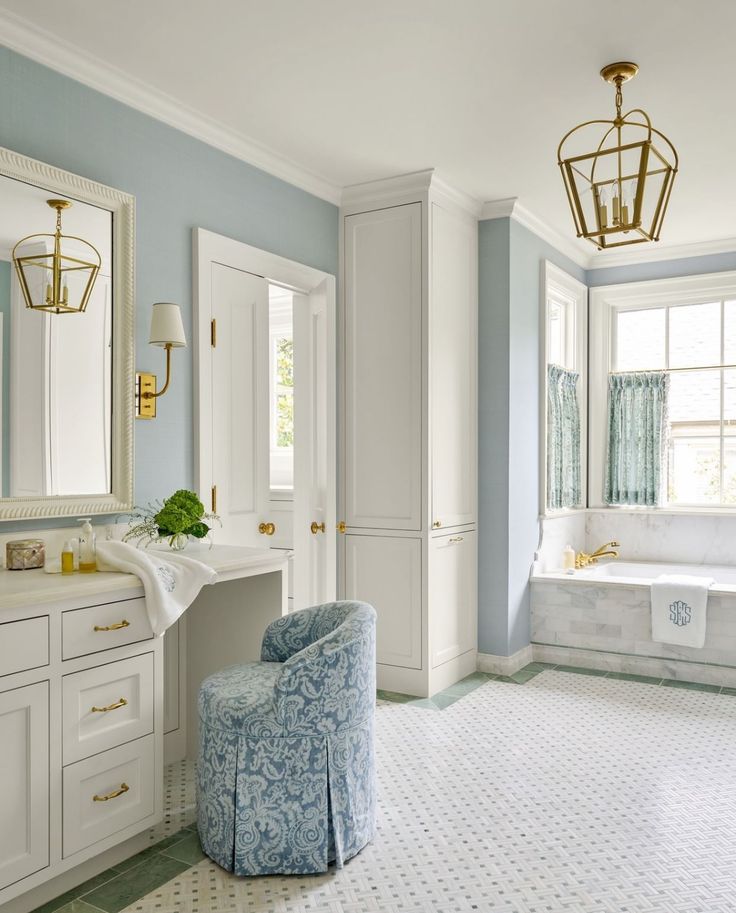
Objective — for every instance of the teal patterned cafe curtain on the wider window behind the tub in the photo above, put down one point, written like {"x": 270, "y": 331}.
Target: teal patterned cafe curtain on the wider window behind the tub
{"x": 637, "y": 423}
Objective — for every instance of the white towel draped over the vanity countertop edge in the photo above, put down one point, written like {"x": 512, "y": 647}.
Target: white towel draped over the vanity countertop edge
{"x": 170, "y": 581}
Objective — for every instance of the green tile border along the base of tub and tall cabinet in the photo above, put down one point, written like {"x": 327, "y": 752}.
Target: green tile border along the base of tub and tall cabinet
{"x": 460, "y": 689}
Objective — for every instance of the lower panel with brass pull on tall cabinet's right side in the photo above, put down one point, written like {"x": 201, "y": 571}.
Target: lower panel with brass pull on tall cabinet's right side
{"x": 452, "y": 595}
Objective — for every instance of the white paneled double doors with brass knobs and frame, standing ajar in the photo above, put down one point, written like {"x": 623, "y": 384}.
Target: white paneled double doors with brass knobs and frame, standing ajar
{"x": 233, "y": 398}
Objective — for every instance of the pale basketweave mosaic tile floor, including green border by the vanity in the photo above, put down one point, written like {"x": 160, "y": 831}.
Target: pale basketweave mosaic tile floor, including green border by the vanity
{"x": 573, "y": 794}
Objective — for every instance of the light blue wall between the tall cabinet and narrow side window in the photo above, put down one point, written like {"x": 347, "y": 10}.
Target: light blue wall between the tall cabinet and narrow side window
{"x": 510, "y": 265}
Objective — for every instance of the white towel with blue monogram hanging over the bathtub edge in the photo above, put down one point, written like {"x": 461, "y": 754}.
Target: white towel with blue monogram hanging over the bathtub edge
{"x": 679, "y": 604}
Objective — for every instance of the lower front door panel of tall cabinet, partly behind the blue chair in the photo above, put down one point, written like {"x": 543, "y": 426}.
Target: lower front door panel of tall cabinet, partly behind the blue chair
{"x": 387, "y": 572}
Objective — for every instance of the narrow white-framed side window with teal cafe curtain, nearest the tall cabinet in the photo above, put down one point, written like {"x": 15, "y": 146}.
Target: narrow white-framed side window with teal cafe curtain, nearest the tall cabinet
{"x": 563, "y": 401}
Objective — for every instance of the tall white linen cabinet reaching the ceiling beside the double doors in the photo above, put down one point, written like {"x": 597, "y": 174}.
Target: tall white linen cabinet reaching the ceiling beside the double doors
{"x": 409, "y": 425}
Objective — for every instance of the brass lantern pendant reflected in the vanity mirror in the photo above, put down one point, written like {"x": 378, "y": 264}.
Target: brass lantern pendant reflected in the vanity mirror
{"x": 58, "y": 281}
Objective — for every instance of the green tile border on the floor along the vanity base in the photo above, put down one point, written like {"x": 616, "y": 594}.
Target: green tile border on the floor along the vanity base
{"x": 126, "y": 881}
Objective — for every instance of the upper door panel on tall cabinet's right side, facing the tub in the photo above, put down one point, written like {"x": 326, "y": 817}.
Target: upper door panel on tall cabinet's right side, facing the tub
{"x": 453, "y": 368}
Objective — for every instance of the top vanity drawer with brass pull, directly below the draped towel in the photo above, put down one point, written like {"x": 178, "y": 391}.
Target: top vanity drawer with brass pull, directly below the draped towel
{"x": 103, "y": 627}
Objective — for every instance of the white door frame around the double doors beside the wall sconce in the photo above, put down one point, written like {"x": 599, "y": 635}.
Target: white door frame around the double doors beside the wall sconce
{"x": 209, "y": 248}
